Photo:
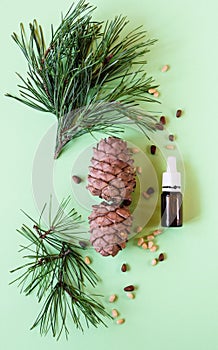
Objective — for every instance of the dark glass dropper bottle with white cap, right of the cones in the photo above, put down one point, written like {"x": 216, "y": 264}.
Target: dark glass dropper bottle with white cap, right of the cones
{"x": 171, "y": 197}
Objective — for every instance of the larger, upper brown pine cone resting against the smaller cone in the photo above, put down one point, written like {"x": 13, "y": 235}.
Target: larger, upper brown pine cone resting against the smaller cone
{"x": 112, "y": 176}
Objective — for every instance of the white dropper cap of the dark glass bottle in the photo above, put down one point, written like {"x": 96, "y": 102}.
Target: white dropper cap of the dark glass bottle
{"x": 171, "y": 179}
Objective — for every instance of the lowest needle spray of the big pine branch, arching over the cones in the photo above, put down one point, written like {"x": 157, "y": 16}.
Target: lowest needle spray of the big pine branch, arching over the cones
{"x": 108, "y": 118}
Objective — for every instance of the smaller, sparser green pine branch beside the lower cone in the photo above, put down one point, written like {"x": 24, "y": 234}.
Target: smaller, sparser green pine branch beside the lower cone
{"x": 57, "y": 274}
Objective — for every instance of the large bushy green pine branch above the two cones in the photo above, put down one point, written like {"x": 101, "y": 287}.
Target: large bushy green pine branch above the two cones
{"x": 86, "y": 63}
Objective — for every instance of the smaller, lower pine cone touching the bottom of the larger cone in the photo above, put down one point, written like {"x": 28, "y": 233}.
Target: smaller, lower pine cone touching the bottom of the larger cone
{"x": 110, "y": 226}
